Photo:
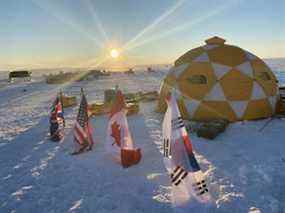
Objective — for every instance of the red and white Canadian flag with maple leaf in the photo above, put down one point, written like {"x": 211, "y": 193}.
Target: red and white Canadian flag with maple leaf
{"x": 119, "y": 141}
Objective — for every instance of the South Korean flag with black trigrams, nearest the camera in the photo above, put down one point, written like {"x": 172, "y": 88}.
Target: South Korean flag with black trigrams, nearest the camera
{"x": 189, "y": 187}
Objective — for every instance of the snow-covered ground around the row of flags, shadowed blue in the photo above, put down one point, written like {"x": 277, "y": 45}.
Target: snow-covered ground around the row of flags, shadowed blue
{"x": 245, "y": 166}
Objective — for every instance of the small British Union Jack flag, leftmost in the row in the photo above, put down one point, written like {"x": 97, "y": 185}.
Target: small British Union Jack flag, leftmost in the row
{"x": 56, "y": 120}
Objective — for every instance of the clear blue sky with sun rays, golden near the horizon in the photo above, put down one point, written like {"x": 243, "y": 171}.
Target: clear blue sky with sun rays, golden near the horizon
{"x": 81, "y": 33}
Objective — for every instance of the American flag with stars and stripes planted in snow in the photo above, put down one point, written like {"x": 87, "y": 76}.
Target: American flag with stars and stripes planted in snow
{"x": 82, "y": 128}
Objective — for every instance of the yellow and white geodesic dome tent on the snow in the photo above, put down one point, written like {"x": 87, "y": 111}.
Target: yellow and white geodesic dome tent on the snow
{"x": 221, "y": 81}
